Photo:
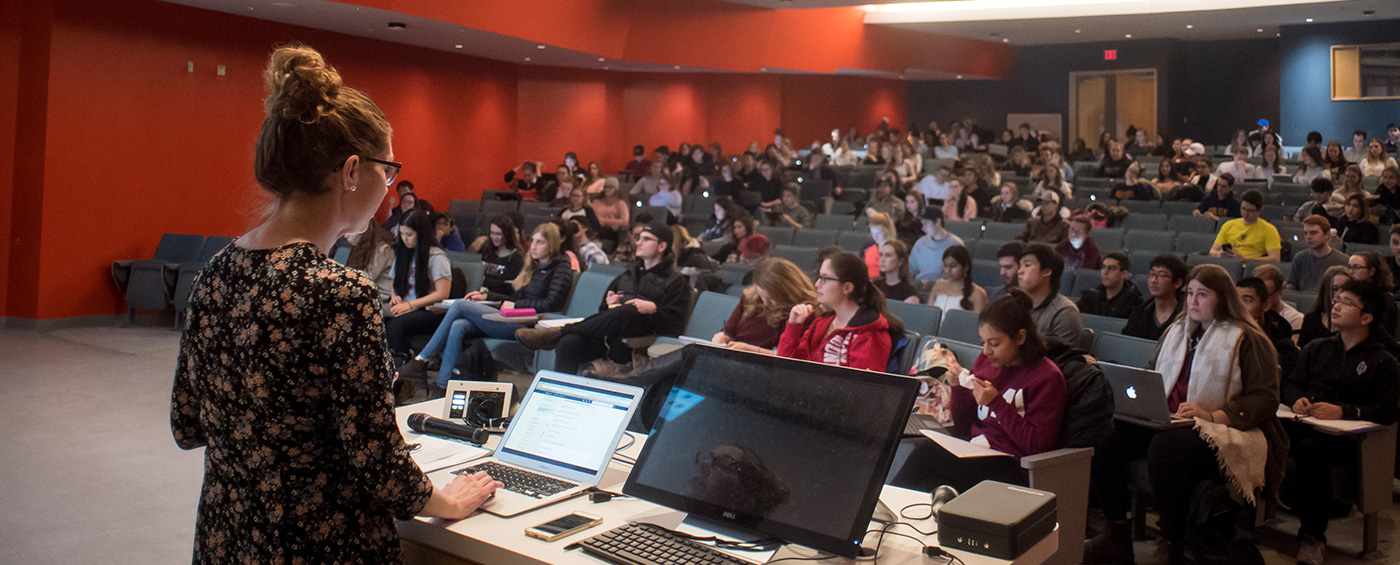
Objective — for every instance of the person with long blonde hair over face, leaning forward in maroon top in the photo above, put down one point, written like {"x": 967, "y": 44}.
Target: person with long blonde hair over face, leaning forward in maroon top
{"x": 758, "y": 321}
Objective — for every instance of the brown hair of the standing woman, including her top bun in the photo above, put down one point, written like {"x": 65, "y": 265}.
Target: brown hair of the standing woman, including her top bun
{"x": 314, "y": 124}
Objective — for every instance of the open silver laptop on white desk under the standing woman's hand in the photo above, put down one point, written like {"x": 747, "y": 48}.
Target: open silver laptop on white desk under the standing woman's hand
{"x": 559, "y": 443}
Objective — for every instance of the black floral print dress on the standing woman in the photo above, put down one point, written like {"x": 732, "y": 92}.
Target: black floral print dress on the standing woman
{"x": 285, "y": 380}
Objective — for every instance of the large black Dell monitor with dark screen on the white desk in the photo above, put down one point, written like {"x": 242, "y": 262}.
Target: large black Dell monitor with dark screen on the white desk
{"x": 793, "y": 450}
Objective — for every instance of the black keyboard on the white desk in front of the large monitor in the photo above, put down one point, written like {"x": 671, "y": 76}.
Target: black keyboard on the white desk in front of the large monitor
{"x": 646, "y": 545}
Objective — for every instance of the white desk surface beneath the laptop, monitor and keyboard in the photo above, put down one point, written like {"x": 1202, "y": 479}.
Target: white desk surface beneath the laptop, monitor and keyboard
{"x": 491, "y": 539}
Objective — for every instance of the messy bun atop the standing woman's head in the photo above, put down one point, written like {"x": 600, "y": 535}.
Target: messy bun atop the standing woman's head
{"x": 300, "y": 85}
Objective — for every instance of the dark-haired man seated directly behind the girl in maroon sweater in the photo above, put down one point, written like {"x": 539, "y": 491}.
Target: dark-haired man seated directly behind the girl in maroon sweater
{"x": 1039, "y": 278}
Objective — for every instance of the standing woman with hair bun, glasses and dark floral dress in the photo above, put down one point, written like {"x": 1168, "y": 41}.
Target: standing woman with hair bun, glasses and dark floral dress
{"x": 283, "y": 371}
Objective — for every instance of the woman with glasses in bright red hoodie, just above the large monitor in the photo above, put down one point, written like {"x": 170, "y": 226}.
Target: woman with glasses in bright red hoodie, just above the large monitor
{"x": 855, "y": 332}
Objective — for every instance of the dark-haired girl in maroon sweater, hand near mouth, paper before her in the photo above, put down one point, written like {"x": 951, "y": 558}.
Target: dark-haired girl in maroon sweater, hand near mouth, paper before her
{"x": 1014, "y": 405}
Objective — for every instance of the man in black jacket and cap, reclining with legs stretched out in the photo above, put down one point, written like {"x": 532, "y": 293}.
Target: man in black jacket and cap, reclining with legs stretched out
{"x": 647, "y": 300}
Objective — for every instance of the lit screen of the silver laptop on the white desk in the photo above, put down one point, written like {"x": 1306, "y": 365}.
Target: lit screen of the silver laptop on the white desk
{"x": 568, "y": 424}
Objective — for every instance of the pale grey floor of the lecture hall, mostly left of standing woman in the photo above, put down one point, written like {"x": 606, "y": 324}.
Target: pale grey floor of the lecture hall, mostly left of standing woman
{"x": 90, "y": 475}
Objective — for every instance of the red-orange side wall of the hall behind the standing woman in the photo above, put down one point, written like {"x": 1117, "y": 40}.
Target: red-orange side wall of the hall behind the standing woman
{"x": 115, "y": 143}
